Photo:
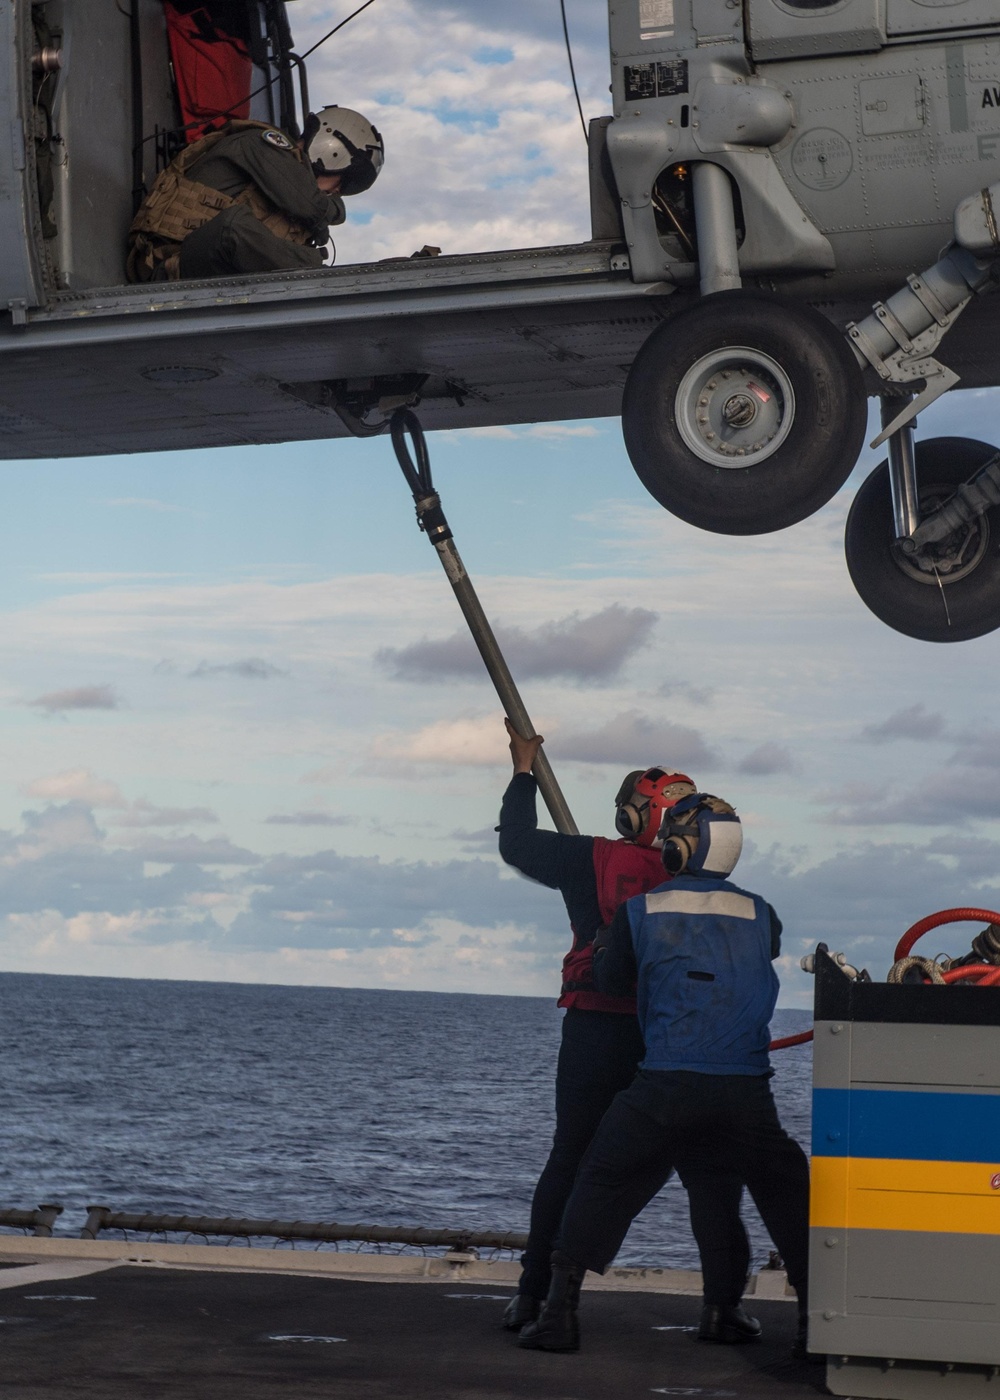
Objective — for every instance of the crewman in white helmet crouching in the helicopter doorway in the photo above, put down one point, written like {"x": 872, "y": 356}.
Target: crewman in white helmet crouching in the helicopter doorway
{"x": 249, "y": 198}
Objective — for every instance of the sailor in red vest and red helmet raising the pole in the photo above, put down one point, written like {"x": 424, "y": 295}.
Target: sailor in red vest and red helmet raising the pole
{"x": 602, "y": 1044}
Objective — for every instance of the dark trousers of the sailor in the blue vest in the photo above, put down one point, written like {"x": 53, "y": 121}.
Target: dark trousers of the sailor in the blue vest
{"x": 694, "y": 1123}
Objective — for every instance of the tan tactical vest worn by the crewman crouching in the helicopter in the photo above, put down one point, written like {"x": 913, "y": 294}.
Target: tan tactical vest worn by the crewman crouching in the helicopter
{"x": 179, "y": 205}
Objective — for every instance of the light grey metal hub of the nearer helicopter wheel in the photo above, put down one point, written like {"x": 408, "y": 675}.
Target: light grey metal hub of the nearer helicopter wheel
{"x": 735, "y": 407}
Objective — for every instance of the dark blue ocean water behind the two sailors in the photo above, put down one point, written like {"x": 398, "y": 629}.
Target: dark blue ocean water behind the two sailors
{"x": 391, "y": 1108}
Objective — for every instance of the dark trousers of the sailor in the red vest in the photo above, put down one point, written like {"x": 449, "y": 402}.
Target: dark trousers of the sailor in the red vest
{"x": 599, "y": 1058}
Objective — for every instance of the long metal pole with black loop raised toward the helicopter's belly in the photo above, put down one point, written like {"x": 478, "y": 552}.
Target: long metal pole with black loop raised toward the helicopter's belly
{"x": 431, "y": 519}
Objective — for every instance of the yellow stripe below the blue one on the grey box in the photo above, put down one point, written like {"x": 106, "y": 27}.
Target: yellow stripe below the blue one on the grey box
{"x": 879, "y": 1193}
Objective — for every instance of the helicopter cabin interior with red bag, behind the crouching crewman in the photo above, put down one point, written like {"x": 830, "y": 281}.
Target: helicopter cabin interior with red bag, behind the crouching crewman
{"x": 109, "y": 94}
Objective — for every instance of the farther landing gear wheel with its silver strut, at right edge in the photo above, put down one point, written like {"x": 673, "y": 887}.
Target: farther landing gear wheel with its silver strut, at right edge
{"x": 947, "y": 590}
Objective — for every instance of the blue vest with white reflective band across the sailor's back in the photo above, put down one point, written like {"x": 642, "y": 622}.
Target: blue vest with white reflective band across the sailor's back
{"x": 707, "y": 983}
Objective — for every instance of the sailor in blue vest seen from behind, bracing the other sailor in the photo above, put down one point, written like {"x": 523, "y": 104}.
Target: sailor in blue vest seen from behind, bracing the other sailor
{"x": 700, "y": 950}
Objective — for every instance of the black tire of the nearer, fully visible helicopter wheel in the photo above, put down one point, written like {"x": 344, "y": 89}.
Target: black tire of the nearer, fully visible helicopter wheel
{"x": 819, "y": 440}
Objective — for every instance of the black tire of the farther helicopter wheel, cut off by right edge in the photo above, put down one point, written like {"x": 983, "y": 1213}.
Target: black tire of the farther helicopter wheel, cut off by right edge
{"x": 897, "y": 593}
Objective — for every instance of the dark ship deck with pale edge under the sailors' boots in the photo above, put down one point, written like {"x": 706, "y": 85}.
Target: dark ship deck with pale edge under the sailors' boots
{"x": 149, "y": 1329}
